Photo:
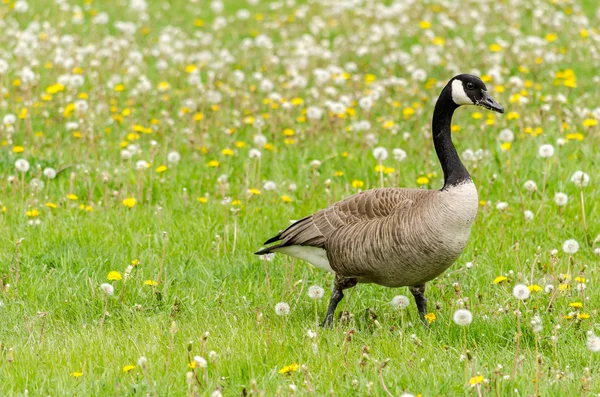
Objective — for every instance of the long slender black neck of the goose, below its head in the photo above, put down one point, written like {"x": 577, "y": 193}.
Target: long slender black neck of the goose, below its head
{"x": 454, "y": 170}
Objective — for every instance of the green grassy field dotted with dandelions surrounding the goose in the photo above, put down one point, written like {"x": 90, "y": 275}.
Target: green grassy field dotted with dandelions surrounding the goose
{"x": 184, "y": 133}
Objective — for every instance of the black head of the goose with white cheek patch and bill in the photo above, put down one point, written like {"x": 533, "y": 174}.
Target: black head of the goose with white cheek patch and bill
{"x": 467, "y": 89}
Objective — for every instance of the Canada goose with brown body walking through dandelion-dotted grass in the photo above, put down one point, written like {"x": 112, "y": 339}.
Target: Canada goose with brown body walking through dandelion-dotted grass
{"x": 391, "y": 236}
